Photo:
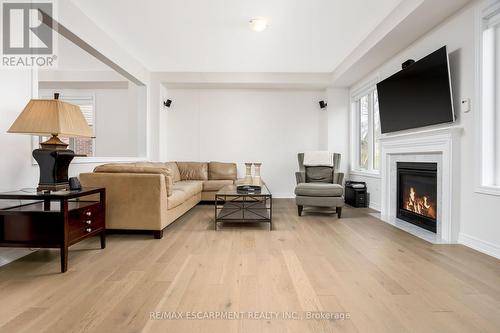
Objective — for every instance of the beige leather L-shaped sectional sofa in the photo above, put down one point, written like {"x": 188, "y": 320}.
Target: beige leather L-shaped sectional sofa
{"x": 151, "y": 195}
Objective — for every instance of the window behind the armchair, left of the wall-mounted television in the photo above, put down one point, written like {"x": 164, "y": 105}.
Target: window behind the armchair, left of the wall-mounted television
{"x": 366, "y": 121}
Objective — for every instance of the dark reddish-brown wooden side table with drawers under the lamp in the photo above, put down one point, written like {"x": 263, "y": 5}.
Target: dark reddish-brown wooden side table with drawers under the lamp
{"x": 53, "y": 220}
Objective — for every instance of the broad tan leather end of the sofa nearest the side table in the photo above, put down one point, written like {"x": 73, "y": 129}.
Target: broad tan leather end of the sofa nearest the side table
{"x": 133, "y": 200}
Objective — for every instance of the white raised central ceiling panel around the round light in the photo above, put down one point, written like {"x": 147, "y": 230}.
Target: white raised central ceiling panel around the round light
{"x": 213, "y": 36}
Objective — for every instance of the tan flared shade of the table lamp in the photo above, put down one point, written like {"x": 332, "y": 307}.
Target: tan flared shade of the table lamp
{"x": 51, "y": 116}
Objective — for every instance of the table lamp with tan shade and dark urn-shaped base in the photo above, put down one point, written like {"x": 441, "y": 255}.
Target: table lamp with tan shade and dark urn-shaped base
{"x": 52, "y": 117}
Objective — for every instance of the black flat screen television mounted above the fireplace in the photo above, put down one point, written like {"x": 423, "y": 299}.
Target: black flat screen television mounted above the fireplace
{"x": 417, "y": 96}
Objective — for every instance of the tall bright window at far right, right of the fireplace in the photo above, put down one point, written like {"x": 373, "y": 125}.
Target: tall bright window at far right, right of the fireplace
{"x": 489, "y": 90}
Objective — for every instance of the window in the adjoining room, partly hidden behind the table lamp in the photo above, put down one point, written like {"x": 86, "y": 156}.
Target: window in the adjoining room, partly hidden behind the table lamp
{"x": 81, "y": 146}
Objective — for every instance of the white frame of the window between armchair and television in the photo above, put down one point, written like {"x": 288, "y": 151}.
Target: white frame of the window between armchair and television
{"x": 367, "y": 89}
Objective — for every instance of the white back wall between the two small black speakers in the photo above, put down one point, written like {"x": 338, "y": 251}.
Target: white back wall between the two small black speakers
{"x": 246, "y": 125}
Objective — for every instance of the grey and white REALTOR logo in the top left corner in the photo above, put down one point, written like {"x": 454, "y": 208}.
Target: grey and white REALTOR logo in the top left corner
{"x": 26, "y": 40}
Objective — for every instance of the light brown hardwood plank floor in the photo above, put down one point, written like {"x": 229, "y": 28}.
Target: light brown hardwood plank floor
{"x": 382, "y": 278}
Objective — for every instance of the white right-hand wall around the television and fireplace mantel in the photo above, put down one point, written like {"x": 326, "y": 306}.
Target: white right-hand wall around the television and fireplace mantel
{"x": 480, "y": 227}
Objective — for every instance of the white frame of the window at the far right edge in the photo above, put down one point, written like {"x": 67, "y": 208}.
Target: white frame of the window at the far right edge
{"x": 486, "y": 163}
